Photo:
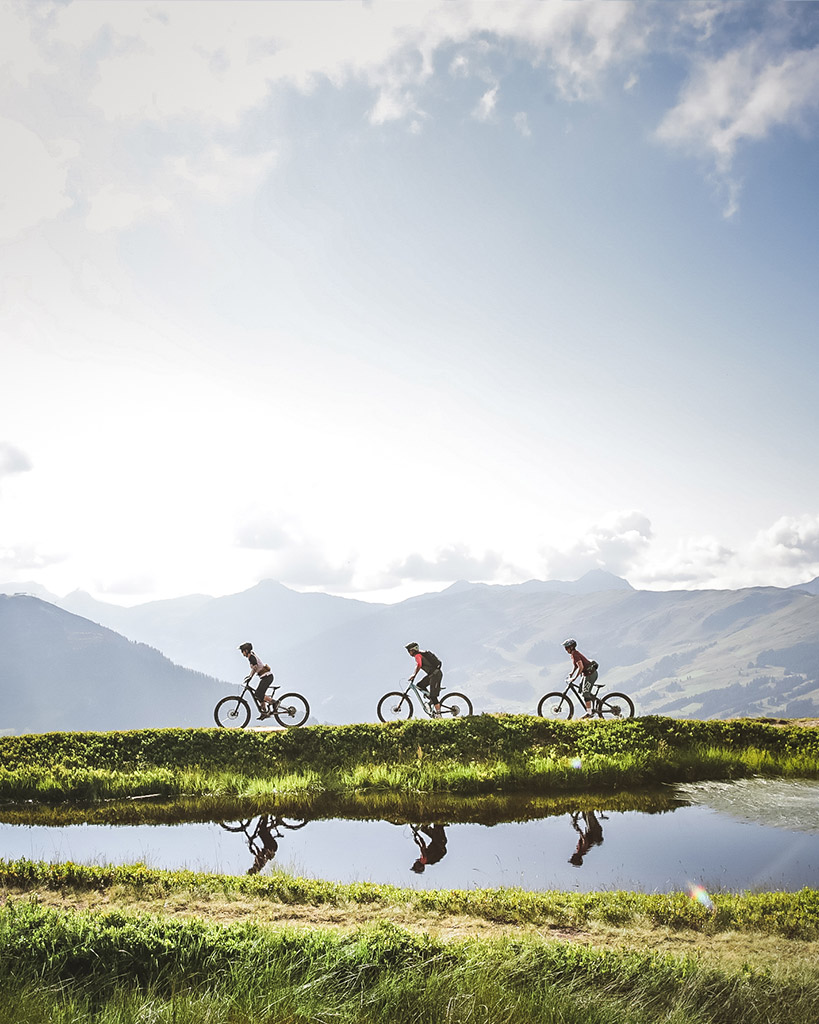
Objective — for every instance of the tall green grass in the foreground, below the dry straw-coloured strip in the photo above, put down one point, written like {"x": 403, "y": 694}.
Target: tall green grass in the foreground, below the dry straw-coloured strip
{"x": 187, "y": 971}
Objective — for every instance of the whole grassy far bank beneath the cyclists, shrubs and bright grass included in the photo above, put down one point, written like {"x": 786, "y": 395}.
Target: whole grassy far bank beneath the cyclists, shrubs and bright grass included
{"x": 481, "y": 755}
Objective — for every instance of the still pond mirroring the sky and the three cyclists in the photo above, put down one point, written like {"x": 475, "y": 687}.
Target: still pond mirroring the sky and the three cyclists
{"x": 726, "y": 837}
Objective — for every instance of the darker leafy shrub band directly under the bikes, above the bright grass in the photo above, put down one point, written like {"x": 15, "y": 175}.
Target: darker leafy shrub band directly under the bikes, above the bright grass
{"x": 323, "y": 748}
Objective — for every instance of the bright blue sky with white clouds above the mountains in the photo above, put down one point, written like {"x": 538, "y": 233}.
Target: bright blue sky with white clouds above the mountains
{"x": 369, "y": 298}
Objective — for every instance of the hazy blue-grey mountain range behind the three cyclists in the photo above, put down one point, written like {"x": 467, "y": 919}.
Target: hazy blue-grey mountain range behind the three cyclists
{"x": 686, "y": 654}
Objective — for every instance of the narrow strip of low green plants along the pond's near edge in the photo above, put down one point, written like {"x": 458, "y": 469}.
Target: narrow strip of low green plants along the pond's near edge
{"x": 790, "y": 915}
